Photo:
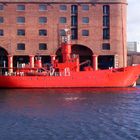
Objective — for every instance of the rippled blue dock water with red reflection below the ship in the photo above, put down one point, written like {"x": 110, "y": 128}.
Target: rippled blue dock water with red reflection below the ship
{"x": 70, "y": 114}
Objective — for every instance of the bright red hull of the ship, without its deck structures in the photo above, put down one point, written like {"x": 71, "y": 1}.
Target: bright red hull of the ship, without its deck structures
{"x": 125, "y": 77}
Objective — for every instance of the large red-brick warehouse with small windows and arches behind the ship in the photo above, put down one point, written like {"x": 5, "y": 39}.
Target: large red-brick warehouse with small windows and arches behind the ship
{"x": 34, "y": 27}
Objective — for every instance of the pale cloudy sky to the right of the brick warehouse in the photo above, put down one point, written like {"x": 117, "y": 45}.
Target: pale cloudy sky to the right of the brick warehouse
{"x": 133, "y": 20}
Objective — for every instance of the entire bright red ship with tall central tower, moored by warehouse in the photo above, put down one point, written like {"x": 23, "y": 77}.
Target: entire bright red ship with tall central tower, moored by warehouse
{"x": 67, "y": 74}
